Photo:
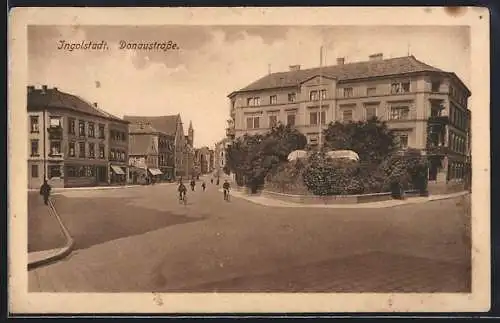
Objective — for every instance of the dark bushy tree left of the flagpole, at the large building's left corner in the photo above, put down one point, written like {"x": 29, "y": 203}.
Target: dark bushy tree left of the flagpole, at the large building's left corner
{"x": 252, "y": 158}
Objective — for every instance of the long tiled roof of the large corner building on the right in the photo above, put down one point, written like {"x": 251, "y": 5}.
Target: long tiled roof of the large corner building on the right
{"x": 344, "y": 72}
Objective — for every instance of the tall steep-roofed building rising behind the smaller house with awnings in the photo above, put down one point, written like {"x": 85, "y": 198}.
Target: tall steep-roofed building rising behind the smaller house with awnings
{"x": 177, "y": 154}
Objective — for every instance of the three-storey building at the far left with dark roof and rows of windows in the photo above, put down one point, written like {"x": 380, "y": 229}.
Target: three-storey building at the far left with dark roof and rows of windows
{"x": 69, "y": 142}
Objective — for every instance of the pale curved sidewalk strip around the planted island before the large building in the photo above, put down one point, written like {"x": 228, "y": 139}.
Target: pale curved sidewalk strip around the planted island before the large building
{"x": 266, "y": 201}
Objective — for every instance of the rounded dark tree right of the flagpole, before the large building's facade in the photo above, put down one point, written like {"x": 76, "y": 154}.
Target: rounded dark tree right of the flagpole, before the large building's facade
{"x": 372, "y": 140}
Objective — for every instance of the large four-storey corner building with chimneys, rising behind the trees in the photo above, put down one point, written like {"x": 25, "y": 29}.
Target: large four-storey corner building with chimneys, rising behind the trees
{"x": 425, "y": 107}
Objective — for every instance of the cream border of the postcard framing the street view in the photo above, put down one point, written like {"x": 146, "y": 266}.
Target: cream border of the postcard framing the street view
{"x": 20, "y": 301}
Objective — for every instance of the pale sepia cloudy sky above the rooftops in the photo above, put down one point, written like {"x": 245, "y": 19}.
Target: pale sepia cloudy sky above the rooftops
{"x": 213, "y": 61}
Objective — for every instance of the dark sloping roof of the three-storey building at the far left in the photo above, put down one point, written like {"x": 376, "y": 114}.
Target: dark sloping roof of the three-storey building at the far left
{"x": 53, "y": 98}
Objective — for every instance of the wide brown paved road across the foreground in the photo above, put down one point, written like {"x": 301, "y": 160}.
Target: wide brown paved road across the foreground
{"x": 142, "y": 240}
